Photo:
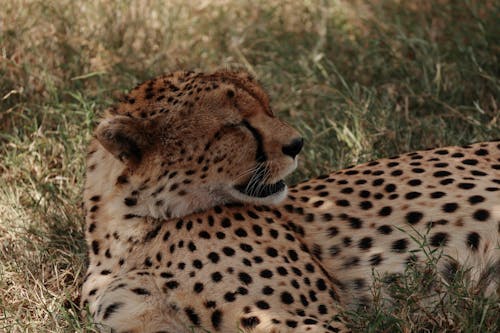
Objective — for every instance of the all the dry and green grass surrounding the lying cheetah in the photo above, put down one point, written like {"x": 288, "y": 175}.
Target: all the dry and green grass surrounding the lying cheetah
{"x": 360, "y": 80}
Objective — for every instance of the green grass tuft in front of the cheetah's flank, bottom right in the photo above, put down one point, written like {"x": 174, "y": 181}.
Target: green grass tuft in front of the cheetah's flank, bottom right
{"x": 422, "y": 301}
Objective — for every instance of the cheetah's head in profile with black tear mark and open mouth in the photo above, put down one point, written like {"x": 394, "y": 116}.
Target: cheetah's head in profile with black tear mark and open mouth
{"x": 191, "y": 141}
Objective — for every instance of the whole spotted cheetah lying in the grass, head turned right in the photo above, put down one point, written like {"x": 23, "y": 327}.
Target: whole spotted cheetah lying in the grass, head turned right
{"x": 190, "y": 225}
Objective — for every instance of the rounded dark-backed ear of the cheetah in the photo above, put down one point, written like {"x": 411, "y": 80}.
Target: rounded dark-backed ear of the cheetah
{"x": 124, "y": 137}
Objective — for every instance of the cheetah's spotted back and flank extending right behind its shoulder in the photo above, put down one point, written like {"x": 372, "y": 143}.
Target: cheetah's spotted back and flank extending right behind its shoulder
{"x": 387, "y": 214}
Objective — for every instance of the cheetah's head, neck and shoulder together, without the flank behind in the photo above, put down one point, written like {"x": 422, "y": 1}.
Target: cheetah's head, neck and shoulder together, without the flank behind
{"x": 173, "y": 147}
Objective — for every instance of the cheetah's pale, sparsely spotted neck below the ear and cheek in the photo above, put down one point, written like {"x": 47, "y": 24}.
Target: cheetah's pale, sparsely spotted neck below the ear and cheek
{"x": 114, "y": 199}
